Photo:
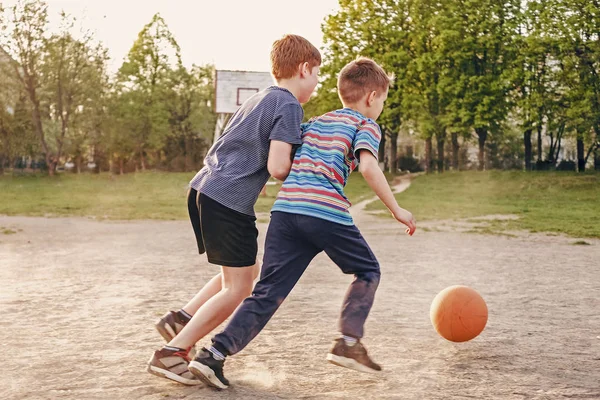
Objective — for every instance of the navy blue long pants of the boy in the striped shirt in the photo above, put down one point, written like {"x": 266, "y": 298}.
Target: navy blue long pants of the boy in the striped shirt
{"x": 292, "y": 242}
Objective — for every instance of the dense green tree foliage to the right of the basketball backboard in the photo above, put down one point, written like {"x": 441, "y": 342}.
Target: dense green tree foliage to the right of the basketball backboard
{"x": 475, "y": 67}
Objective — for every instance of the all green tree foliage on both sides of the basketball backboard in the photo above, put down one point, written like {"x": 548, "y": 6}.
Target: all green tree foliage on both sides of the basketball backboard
{"x": 495, "y": 71}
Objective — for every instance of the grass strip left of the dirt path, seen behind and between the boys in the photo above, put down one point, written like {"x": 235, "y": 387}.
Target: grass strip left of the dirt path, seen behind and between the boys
{"x": 148, "y": 195}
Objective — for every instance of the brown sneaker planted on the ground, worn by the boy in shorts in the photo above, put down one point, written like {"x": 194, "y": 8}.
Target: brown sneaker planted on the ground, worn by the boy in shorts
{"x": 172, "y": 364}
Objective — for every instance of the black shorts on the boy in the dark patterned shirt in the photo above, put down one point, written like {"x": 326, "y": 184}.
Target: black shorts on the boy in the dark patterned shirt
{"x": 228, "y": 237}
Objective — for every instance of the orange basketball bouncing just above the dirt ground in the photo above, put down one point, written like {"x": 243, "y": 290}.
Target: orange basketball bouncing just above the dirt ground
{"x": 458, "y": 313}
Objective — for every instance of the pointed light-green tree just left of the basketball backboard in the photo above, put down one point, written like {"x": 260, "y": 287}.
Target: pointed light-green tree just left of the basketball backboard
{"x": 161, "y": 110}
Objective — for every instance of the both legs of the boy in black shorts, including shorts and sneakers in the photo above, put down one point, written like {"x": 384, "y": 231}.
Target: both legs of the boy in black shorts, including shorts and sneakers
{"x": 229, "y": 238}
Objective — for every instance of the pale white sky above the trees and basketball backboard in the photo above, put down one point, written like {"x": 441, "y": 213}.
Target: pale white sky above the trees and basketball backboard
{"x": 232, "y": 34}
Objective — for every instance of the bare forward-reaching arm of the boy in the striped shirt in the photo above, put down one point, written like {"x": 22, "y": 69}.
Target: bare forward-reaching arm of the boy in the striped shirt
{"x": 369, "y": 168}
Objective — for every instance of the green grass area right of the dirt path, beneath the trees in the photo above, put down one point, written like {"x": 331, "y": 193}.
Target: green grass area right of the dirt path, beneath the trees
{"x": 558, "y": 202}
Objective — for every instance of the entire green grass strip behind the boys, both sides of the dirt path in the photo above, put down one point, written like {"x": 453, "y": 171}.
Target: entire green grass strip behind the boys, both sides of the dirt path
{"x": 566, "y": 203}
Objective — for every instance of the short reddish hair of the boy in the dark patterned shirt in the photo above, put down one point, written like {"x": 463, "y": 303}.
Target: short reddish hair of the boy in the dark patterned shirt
{"x": 289, "y": 52}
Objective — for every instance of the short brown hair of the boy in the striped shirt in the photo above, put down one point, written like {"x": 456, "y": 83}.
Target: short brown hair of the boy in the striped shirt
{"x": 360, "y": 77}
